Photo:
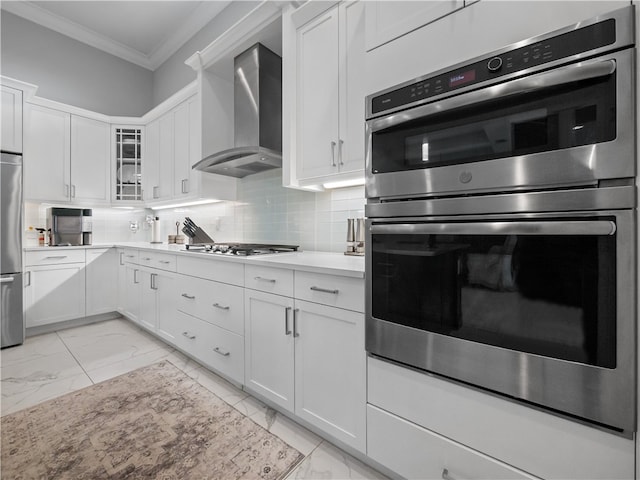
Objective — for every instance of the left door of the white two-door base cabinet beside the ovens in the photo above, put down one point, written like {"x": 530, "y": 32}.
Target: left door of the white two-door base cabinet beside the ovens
{"x": 269, "y": 350}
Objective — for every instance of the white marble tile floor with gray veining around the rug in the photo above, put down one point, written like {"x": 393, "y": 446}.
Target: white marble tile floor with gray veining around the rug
{"x": 53, "y": 364}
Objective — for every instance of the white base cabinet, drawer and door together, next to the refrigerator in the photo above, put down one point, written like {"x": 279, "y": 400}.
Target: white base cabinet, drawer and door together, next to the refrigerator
{"x": 54, "y": 287}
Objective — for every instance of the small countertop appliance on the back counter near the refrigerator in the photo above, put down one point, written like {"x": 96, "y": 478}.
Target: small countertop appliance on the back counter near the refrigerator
{"x": 69, "y": 226}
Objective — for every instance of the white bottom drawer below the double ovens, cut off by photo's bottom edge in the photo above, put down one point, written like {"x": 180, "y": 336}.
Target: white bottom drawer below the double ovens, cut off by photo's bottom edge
{"x": 415, "y": 452}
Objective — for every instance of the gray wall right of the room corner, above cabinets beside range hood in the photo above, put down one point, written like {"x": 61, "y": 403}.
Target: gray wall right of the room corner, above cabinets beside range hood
{"x": 173, "y": 74}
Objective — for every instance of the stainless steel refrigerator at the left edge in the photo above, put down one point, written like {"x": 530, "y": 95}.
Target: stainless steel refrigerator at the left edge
{"x": 12, "y": 319}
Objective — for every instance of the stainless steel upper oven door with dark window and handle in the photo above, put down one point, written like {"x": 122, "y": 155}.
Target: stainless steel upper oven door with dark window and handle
{"x": 572, "y": 125}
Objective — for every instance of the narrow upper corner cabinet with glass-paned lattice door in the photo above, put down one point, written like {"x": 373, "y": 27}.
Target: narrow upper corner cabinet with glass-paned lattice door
{"x": 127, "y": 154}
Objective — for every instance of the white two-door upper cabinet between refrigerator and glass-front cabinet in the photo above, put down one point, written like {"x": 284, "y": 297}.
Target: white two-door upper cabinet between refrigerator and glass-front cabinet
{"x": 66, "y": 157}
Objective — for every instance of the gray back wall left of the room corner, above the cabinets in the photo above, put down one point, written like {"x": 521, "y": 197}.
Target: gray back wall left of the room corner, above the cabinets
{"x": 71, "y": 72}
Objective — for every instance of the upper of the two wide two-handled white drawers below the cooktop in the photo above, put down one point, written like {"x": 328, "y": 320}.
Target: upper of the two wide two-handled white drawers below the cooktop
{"x": 217, "y": 303}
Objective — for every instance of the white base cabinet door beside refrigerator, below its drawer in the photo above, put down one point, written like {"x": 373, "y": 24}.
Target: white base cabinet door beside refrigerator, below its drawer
{"x": 54, "y": 293}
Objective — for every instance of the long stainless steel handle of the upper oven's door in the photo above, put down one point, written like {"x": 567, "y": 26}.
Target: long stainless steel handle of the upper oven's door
{"x": 559, "y": 76}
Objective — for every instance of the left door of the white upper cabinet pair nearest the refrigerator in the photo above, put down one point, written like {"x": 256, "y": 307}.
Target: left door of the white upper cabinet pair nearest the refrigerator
{"x": 47, "y": 174}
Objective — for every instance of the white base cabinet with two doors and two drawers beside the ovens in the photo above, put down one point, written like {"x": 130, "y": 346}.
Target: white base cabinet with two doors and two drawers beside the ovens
{"x": 307, "y": 357}
